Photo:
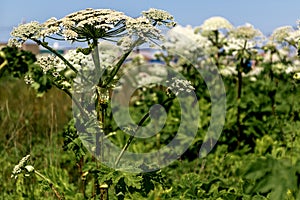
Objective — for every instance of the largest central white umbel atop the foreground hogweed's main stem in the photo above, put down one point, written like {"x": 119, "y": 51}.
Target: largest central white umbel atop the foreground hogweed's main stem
{"x": 87, "y": 24}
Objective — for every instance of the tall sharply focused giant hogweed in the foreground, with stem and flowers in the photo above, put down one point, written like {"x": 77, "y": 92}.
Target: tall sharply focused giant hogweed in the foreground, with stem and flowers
{"x": 97, "y": 69}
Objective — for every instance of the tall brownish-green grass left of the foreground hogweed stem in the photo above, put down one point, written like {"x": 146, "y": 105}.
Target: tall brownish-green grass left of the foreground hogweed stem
{"x": 30, "y": 125}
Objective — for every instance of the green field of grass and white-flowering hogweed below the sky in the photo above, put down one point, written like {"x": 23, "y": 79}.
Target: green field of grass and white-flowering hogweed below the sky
{"x": 229, "y": 106}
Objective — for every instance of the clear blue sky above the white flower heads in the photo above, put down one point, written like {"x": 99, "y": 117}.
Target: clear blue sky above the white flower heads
{"x": 265, "y": 15}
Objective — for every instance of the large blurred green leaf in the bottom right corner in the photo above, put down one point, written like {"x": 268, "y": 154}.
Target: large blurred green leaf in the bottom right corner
{"x": 278, "y": 177}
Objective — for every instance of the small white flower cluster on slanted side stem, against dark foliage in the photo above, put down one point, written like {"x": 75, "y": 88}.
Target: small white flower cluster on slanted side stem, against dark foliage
{"x": 179, "y": 86}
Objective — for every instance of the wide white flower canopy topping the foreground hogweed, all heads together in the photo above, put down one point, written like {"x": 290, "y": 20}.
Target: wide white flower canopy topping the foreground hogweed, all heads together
{"x": 90, "y": 25}
